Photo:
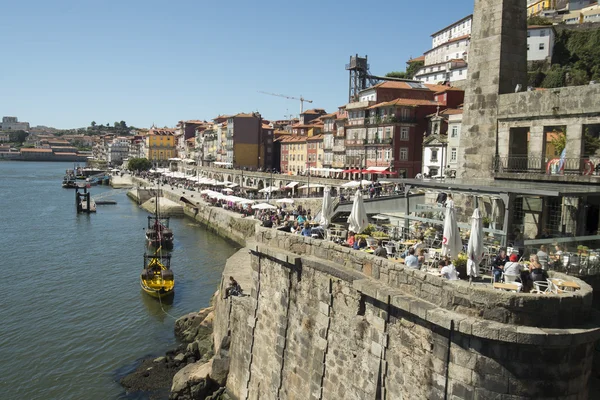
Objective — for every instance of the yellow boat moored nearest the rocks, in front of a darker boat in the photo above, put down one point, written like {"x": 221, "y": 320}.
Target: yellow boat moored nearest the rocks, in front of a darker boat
{"x": 157, "y": 279}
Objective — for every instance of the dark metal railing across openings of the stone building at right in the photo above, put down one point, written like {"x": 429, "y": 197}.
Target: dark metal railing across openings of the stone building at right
{"x": 547, "y": 166}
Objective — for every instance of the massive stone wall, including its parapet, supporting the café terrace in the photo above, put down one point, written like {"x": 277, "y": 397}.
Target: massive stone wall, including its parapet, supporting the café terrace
{"x": 317, "y": 326}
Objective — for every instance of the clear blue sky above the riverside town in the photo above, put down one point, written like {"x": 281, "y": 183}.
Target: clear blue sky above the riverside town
{"x": 66, "y": 63}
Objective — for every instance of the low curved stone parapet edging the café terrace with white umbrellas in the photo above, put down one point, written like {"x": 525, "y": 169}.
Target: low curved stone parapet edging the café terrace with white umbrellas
{"x": 471, "y": 300}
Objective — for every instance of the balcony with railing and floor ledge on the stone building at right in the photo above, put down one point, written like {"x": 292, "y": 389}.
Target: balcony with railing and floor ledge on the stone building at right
{"x": 582, "y": 169}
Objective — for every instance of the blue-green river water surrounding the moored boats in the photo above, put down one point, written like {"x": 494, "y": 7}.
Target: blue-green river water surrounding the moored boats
{"x": 72, "y": 314}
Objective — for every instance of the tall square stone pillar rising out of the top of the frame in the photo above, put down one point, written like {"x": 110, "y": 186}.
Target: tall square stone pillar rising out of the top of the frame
{"x": 497, "y": 63}
